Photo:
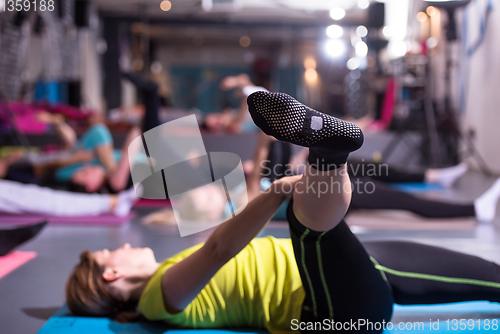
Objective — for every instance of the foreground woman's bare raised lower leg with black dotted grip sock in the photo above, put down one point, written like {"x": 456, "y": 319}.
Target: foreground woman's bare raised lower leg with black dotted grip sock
{"x": 322, "y": 197}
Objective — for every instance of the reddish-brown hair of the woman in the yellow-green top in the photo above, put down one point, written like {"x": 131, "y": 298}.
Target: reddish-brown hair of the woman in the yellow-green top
{"x": 87, "y": 293}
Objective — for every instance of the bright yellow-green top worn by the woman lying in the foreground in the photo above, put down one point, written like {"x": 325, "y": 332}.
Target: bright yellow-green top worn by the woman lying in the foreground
{"x": 258, "y": 288}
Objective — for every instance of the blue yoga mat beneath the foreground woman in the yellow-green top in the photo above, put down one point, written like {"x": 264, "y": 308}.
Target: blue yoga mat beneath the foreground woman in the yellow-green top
{"x": 63, "y": 323}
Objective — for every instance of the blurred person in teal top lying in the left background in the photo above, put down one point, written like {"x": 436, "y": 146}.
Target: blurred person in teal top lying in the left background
{"x": 88, "y": 164}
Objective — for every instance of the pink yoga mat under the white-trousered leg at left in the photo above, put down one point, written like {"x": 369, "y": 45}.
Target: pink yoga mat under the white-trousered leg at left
{"x": 108, "y": 219}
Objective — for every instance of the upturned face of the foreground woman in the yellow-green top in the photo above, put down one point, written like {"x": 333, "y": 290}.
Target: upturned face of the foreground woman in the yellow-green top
{"x": 127, "y": 260}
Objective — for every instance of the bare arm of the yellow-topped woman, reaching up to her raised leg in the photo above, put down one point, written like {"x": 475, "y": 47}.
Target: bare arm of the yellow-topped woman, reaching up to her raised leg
{"x": 183, "y": 281}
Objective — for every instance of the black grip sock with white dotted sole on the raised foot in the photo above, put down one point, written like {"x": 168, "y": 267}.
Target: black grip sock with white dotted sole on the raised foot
{"x": 330, "y": 140}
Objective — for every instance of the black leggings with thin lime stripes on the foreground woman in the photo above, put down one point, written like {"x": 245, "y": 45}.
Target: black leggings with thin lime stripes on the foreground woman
{"x": 346, "y": 280}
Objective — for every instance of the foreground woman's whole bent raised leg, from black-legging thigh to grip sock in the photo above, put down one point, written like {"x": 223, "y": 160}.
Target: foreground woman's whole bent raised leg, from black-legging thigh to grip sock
{"x": 340, "y": 281}
